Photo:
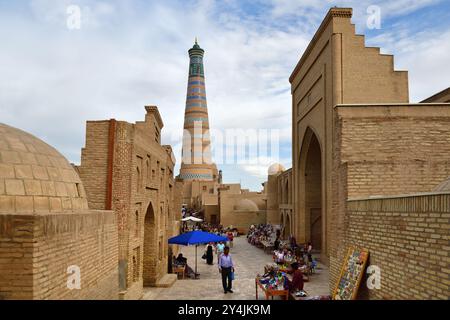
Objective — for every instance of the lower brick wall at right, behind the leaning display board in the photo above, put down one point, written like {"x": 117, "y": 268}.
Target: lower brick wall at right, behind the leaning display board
{"x": 409, "y": 239}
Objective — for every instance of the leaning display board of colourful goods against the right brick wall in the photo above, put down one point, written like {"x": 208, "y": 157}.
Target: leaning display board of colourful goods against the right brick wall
{"x": 351, "y": 274}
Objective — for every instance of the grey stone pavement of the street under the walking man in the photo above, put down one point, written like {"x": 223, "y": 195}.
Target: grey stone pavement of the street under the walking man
{"x": 248, "y": 260}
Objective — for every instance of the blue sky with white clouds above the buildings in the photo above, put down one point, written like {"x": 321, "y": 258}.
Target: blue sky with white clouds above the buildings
{"x": 130, "y": 53}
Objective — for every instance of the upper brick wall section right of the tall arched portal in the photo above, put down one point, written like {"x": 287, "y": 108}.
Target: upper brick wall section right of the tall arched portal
{"x": 394, "y": 150}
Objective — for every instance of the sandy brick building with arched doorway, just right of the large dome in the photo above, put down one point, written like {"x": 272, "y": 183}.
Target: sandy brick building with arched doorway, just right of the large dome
{"x": 125, "y": 168}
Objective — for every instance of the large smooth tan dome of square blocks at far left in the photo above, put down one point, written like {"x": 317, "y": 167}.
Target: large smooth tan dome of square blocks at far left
{"x": 35, "y": 177}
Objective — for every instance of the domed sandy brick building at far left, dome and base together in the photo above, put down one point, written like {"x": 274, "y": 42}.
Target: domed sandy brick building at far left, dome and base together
{"x": 48, "y": 230}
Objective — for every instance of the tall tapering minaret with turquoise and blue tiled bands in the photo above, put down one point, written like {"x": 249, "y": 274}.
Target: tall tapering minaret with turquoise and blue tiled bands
{"x": 196, "y": 154}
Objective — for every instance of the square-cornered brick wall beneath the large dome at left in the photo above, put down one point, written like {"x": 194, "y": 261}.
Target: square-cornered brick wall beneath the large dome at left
{"x": 36, "y": 250}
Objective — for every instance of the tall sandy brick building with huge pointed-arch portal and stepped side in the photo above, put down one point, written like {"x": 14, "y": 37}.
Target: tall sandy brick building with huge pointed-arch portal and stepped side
{"x": 366, "y": 164}
